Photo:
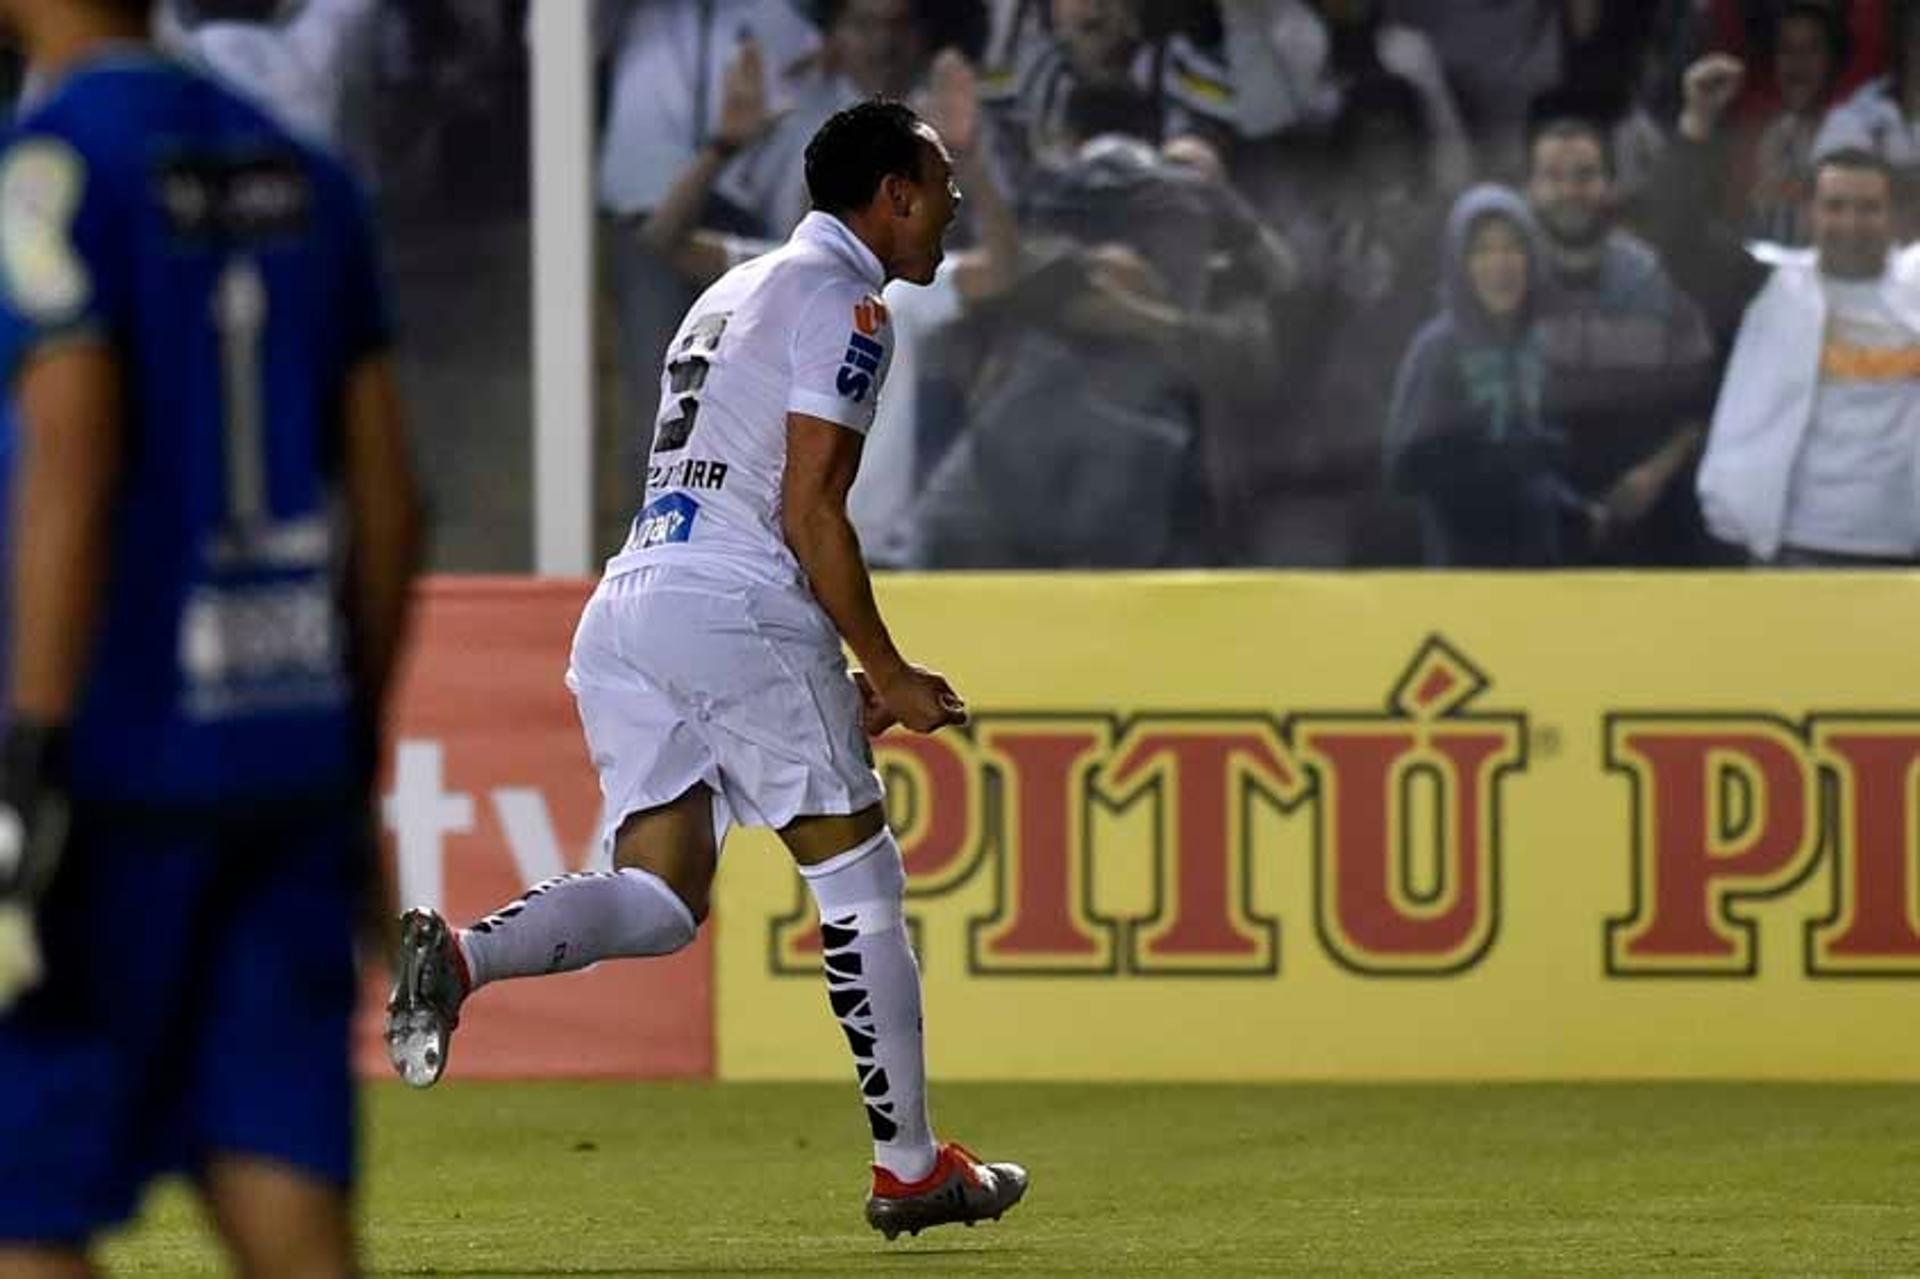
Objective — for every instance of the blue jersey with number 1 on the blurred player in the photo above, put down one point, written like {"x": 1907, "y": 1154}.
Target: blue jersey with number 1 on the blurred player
{"x": 233, "y": 274}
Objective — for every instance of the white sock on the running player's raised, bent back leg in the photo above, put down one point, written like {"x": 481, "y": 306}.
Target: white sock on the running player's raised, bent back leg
{"x": 577, "y": 921}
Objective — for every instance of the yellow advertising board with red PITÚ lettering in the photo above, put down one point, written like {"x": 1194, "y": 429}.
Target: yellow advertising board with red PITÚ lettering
{"x": 1391, "y": 827}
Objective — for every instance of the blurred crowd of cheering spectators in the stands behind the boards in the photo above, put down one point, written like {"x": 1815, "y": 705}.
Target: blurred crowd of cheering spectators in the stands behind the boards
{"x": 1297, "y": 283}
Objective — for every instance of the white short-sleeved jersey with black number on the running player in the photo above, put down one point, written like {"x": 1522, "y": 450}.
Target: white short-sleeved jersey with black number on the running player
{"x": 798, "y": 331}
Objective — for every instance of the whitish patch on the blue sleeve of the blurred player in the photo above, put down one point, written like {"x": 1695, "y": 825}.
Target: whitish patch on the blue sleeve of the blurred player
{"x": 41, "y": 189}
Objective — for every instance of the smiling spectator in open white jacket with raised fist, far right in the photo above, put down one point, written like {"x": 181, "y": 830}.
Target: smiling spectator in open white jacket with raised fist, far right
{"x": 1815, "y": 446}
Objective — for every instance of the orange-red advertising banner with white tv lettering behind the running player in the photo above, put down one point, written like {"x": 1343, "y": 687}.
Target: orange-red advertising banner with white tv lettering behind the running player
{"x": 491, "y": 792}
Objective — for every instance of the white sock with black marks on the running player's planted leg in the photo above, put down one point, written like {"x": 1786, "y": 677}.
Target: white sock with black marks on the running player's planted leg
{"x": 875, "y": 986}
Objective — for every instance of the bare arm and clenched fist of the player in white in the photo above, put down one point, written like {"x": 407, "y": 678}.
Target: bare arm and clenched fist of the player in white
{"x": 823, "y": 462}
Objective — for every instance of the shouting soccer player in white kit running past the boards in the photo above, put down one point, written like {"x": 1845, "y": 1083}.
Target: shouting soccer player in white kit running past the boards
{"x": 709, "y": 669}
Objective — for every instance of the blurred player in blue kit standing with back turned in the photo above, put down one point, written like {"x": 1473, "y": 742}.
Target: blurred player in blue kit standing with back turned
{"x": 214, "y": 529}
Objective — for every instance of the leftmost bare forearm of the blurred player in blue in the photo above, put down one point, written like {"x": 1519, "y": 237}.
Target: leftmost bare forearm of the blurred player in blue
{"x": 70, "y": 414}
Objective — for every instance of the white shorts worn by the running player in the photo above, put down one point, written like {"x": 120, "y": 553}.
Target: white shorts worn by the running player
{"x": 684, "y": 679}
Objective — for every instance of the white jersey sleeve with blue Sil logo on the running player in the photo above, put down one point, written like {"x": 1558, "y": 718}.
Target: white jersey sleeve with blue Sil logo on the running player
{"x": 842, "y": 354}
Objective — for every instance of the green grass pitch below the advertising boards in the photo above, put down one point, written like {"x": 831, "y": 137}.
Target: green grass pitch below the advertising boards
{"x": 1633, "y": 1180}
